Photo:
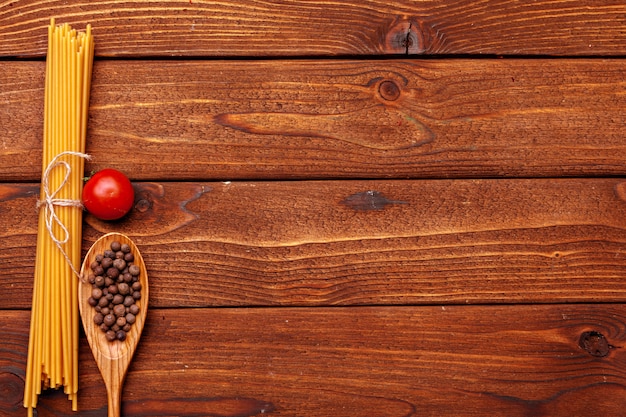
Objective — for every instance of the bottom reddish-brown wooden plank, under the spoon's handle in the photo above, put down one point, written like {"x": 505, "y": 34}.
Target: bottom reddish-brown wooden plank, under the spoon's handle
{"x": 384, "y": 361}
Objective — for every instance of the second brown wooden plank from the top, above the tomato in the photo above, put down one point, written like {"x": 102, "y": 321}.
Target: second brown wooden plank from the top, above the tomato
{"x": 339, "y": 119}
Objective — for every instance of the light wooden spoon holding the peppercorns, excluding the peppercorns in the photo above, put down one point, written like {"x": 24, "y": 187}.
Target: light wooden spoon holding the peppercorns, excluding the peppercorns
{"x": 114, "y": 357}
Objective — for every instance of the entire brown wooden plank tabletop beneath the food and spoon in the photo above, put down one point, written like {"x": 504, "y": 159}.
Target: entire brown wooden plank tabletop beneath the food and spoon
{"x": 352, "y": 208}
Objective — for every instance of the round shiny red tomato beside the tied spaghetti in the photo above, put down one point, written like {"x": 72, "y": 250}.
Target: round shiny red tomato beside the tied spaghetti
{"x": 108, "y": 194}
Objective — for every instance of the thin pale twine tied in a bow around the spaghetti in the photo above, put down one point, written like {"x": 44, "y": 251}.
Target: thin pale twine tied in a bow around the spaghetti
{"x": 51, "y": 200}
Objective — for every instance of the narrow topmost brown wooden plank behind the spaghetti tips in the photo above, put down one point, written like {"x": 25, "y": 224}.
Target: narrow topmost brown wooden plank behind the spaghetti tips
{"x": 301, "y": 28}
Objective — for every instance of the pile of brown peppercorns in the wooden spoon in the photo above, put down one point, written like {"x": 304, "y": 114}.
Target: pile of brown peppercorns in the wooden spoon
{"x": 115, "y": 291}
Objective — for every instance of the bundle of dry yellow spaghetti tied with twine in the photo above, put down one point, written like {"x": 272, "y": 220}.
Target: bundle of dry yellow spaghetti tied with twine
{"x": 53, "y": 338}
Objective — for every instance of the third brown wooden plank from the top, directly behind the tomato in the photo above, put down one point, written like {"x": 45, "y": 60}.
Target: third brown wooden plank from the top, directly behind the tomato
{"x": 356, "y": 242}
